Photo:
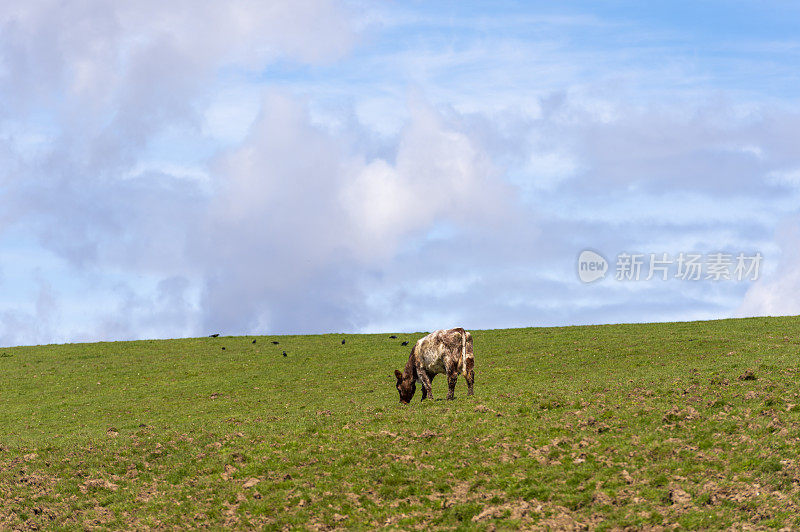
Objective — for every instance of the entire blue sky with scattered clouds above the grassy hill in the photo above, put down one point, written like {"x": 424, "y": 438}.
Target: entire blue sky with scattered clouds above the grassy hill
{"x": 175, "y": 169}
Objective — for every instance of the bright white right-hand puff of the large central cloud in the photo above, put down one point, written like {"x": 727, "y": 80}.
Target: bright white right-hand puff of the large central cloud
{"x": 439, "y": 174}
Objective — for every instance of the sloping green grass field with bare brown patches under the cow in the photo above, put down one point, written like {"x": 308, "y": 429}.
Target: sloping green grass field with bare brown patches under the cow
{"x": 695, "y": 425}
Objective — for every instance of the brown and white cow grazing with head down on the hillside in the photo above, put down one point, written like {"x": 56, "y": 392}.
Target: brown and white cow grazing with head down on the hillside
{"x": 447, "y": 351}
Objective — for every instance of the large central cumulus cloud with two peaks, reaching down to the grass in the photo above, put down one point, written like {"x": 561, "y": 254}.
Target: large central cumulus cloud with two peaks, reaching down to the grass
{"x": 300, "y": 219}
